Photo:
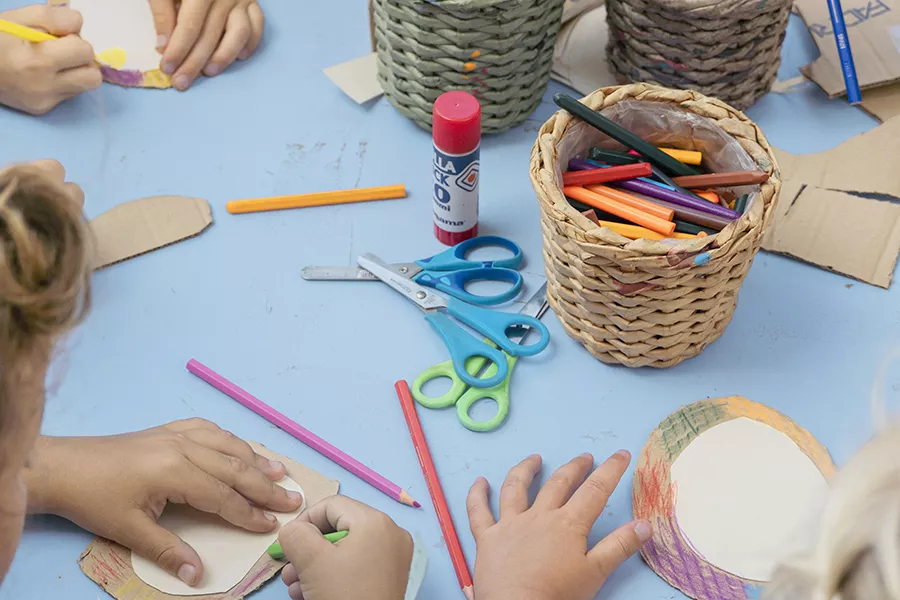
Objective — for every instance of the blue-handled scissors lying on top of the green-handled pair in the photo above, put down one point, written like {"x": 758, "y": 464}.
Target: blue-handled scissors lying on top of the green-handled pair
{"x": 462, "y": 345}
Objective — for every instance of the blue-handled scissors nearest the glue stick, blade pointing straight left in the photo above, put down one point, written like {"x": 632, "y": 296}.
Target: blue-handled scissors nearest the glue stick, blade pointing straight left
{"x": 450, "y": 271}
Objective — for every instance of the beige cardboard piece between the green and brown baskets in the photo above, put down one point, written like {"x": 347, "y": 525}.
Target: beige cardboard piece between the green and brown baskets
{"x": 579, "y": 59}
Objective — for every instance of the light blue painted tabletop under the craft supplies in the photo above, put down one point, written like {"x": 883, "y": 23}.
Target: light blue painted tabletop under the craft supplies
{"x": 804, "y": 341}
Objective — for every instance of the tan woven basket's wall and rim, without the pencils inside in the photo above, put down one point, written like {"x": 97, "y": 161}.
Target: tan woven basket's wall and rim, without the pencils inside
{"x": 642, "y": 302}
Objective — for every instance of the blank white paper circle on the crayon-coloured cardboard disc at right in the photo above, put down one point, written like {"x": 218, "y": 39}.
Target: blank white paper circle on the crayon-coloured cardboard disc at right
{"x": 747, "y": 497}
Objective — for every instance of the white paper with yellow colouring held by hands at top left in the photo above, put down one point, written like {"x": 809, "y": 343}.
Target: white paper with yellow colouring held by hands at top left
{"x": 124, "y": 30}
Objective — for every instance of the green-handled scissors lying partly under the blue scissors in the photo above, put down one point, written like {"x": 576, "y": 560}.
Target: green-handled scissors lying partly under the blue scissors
{"x": 465, "y": 396}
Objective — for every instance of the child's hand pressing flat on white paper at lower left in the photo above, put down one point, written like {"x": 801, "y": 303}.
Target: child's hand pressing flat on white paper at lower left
{"x": 118, "y": 486}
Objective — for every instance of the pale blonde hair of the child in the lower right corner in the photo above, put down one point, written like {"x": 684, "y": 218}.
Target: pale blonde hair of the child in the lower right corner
{"x": 857, "y": 555}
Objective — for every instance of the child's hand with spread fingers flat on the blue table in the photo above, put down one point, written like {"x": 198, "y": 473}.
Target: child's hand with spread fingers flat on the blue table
{"x": 541, "y": 552}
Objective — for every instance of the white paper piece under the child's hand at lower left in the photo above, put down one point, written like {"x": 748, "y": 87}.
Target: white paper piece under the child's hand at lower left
{"x": 228, "y": 552}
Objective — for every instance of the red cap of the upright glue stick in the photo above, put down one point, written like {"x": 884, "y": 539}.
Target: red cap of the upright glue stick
{"x": 456, "y": 123}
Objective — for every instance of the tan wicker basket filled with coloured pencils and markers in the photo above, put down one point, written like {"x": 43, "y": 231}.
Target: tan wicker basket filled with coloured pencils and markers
{"x": 660, "y": 298}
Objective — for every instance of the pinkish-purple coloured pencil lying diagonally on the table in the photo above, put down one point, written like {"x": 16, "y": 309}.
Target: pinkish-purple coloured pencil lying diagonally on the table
{"x": 304, "y": 435}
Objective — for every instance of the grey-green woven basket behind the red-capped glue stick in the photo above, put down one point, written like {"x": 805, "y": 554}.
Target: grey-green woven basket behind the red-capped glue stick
{"x": 501, "y": 51}
